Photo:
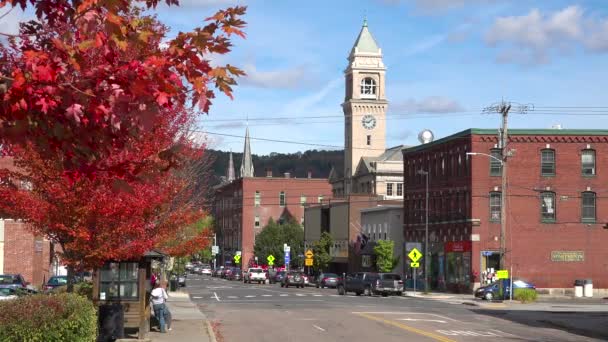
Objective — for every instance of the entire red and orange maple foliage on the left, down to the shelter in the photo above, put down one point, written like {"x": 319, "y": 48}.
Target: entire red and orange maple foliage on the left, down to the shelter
{"x": 95, "y": 112}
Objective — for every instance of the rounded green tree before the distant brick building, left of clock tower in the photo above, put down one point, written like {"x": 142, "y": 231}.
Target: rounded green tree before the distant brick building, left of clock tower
{"x": 271, "y": 239}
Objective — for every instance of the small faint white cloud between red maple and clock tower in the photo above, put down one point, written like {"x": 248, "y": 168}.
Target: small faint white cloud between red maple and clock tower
{"x": 288, "y": 78}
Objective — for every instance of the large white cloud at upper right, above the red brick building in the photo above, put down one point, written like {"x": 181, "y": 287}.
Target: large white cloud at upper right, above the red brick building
{"x": 532, "y": 38}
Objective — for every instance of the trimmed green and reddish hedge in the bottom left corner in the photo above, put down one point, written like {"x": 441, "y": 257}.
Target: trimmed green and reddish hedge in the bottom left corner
{"x": 55, "y": 317}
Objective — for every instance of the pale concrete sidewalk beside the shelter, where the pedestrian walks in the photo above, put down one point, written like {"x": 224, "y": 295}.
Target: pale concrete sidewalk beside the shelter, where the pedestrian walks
{"x": 189, "y": 324}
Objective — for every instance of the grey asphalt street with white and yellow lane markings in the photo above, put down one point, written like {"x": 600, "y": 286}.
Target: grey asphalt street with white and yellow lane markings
{"x": 255, "y": 312}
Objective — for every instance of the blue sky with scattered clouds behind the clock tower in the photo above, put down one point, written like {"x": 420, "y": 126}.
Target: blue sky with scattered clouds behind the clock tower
{"x": 446, "y": 60}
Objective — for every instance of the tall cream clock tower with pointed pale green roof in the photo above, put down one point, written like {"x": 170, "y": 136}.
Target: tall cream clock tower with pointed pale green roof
{"x": 364, "y": 104}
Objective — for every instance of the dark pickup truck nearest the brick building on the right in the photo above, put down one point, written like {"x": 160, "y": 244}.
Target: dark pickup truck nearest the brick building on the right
{"x": 368, "y": 283}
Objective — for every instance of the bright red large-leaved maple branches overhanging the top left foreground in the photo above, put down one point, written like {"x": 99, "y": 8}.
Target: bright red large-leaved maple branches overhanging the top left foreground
{"x": 90, "y": 76}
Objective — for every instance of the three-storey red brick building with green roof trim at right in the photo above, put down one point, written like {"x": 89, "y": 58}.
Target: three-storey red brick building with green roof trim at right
{"x": 556, "y": 206}
